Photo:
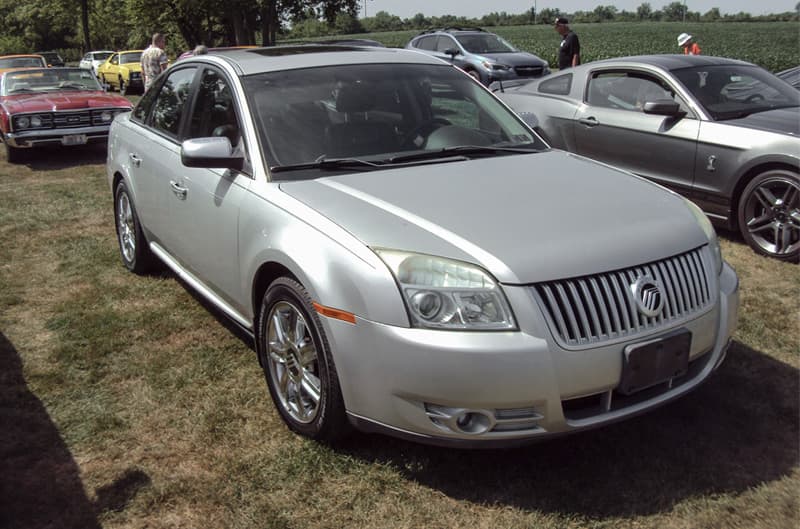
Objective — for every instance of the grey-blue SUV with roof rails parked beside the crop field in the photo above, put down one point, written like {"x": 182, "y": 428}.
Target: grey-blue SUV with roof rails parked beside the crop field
{"x": 485, "y": 56}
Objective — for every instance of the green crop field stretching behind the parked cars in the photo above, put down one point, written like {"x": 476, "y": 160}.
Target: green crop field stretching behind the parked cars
{"x": 772, "y": 45}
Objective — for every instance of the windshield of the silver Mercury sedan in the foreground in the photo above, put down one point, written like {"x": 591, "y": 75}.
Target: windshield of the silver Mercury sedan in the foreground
{"x": 378, "y": 113}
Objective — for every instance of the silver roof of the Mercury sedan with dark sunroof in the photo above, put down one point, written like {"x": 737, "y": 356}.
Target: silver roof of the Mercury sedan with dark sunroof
{"x": 278, "y": 58}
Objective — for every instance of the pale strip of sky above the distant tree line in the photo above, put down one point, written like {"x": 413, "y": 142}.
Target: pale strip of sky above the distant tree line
{"x": 473, "y": 9}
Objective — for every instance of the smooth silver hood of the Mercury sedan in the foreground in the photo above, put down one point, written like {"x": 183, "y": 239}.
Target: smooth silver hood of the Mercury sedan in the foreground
{"x": 524, "y": 218}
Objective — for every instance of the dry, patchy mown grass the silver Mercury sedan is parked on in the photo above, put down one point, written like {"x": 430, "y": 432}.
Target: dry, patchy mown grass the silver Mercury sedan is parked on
{"x": 125, "y": 403}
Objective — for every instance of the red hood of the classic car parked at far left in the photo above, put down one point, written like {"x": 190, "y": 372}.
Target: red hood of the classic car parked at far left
{"x": 55, "y": 101}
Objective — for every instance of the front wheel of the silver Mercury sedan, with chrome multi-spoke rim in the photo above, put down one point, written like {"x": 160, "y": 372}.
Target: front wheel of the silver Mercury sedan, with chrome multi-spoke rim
{"x": 297, "y": 363}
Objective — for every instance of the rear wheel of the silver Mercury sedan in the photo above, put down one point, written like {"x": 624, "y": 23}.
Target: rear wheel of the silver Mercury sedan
{"x": 133, "y": 246}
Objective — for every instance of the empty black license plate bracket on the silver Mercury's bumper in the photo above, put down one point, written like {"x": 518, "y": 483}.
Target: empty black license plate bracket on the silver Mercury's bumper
{"x": 655, "y": 361}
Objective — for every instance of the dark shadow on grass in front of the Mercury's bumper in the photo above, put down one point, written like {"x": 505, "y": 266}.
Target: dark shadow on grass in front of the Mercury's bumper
{"x": 737, "y": 430}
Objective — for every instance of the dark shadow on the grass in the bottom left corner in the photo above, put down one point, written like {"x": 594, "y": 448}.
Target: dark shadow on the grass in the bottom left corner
{"x": 40, "y": 485}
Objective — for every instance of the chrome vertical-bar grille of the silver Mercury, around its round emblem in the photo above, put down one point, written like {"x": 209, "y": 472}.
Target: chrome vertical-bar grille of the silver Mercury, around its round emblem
{"x": 592, "y": 309}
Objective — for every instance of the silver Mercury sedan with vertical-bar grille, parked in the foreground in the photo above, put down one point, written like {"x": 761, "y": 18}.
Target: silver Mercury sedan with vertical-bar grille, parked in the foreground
{"x": 409, "y": 257}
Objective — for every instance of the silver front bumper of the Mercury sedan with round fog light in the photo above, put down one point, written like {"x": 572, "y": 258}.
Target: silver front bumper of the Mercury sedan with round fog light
{"x": 521, "y": 386}
